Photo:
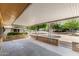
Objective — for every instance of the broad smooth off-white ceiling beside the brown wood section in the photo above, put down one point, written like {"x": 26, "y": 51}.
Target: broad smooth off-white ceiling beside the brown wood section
{"x": 38, "y": 13}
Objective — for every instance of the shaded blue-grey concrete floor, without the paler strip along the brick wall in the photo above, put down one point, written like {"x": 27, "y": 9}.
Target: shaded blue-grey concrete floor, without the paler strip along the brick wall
{"x": 24, "y": 47}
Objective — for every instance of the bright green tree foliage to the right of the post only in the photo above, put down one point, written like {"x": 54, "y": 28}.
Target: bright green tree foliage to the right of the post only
{"x": 67, "y": 26}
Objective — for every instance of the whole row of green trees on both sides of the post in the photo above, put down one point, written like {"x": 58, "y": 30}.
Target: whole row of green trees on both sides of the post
{"x": 69, "y": 25}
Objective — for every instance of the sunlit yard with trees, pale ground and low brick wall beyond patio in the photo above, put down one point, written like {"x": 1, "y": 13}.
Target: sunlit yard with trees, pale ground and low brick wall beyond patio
{"x": 65, "y": 33}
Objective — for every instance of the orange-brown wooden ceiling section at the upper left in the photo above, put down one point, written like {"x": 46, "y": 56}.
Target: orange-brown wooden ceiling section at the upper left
{"x": 10, "y": 11}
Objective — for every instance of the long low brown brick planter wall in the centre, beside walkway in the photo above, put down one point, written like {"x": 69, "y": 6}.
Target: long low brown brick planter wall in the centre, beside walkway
{"x": 46, "y": 40}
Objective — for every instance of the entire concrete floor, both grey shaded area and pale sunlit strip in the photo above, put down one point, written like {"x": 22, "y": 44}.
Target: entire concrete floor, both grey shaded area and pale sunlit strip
{"x": 31, "y": 47}
